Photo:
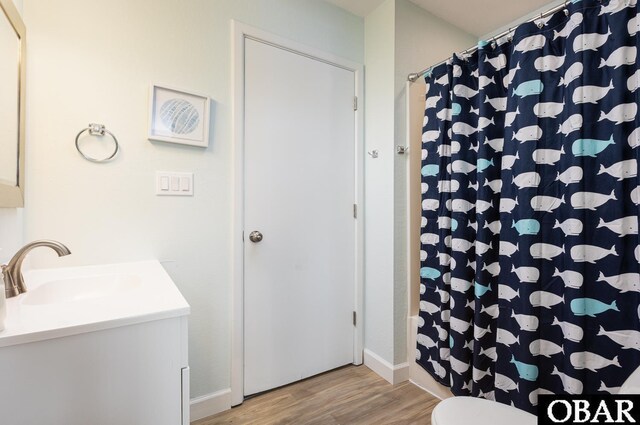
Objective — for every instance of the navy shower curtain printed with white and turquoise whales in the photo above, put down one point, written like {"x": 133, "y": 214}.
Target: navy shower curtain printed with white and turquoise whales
{"x": 529, "y": 272}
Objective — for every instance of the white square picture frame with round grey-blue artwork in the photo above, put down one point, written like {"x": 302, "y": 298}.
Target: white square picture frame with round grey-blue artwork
{"x": 178, "y": 116}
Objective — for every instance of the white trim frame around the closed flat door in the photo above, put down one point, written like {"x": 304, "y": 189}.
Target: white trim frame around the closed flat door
{"x": 240, "y": 32}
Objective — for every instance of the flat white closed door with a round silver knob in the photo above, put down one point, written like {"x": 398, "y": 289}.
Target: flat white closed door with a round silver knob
{"x": 299, "y": 280}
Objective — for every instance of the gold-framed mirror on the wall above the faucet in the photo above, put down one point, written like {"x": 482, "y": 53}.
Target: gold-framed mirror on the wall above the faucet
{"x": 12, "y": 105}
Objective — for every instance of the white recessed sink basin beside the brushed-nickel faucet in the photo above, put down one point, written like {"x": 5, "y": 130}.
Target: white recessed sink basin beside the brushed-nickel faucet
{"x": 81, "y": 289}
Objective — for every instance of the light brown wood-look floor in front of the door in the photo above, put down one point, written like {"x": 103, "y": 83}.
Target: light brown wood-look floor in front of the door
{"x": 350, "y": 395}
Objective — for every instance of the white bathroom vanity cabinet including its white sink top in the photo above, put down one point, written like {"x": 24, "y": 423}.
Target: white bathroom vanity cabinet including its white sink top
{"x": 117, "y": 364}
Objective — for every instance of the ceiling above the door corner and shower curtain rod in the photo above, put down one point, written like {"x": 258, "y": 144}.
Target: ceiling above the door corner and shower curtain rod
{"x": 476, "y": 17}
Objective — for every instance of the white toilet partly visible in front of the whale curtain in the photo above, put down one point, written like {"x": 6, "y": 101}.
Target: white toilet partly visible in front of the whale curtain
{"x": 478, "y": 411}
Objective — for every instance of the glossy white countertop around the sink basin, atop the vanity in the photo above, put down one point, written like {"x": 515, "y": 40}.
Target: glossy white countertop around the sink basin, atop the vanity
{"x": 145, "y": 293}
